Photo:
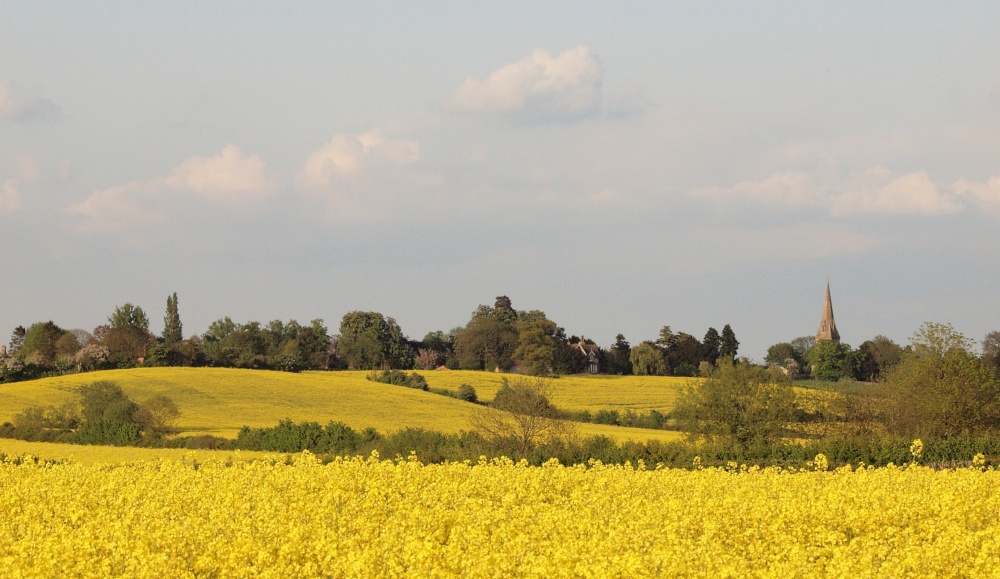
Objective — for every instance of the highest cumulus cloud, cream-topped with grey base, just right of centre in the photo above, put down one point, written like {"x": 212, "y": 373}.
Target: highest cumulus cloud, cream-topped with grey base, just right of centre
{"x": 538, "y": 87}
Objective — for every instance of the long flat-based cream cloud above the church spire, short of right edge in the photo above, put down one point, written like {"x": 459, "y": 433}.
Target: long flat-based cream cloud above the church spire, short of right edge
{"x": 876, "y": 191}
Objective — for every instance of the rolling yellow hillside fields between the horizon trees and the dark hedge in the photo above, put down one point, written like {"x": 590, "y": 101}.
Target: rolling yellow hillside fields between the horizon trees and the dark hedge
{"x": 220, "y": 401}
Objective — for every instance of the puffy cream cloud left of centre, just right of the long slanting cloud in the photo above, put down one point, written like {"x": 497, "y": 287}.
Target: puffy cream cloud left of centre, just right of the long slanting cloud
{"x": 364, "y": 177}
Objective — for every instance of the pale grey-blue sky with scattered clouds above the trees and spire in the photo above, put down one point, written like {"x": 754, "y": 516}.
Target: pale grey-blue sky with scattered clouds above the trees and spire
{"x": 619, "y": 166}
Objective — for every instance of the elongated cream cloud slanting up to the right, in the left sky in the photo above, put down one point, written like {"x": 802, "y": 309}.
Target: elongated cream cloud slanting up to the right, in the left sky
{"x": 228, "y": 179}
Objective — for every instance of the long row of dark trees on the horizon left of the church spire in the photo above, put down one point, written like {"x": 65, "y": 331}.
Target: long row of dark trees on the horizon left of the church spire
{"x": 496, "y": 337}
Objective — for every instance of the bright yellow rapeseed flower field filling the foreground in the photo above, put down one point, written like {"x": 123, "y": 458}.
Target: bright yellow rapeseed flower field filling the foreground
{"x": 372, "y": 517}
